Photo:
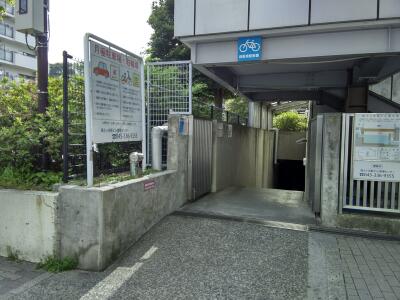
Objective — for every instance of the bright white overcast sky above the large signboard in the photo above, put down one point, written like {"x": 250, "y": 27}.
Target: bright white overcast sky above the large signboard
{"x": 122, "y": 22}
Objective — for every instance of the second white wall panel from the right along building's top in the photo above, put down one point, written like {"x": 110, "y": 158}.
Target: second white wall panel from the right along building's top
{"x": 324, "y": 11}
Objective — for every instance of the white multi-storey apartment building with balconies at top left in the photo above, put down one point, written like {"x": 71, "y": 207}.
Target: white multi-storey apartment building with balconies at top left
{"x": 17, "y": 54}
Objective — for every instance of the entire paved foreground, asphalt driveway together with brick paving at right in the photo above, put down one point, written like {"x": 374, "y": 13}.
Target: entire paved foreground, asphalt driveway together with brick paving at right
{"x": 199, "y": 258}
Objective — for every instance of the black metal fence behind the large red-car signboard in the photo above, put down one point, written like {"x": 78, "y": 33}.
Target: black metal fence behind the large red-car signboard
{"x": 110, "y": 158}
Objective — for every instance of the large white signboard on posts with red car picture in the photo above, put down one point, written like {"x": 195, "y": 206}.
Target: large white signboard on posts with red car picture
{"x": 114, "y": 97}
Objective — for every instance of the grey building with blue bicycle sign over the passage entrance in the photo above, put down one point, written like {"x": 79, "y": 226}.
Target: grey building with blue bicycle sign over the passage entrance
{"x": 342, "y": 55}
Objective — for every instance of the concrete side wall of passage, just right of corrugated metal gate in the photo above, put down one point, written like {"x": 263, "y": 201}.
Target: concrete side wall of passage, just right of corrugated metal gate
{"x": 245, "y": 159}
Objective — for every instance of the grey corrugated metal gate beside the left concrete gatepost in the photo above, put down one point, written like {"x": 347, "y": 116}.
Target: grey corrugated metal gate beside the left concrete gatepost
{"x": 200, "y": 159}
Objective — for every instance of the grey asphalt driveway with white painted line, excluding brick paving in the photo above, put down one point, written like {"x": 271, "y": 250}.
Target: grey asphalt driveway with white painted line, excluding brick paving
{"x": 195, "y": 258}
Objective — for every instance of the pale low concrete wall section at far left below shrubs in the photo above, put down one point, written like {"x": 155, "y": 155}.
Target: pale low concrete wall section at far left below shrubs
{"x": 27, "y": 224}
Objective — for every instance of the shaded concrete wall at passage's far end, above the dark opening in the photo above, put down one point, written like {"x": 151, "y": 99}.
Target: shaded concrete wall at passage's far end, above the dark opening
{"x": 288, "y": 149}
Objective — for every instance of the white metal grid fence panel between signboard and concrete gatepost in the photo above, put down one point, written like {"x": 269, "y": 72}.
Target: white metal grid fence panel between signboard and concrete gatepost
{"x": 169, "y": 91}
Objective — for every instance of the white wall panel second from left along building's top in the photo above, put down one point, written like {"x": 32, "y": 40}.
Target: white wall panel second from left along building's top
{"x": 215, "y": 16}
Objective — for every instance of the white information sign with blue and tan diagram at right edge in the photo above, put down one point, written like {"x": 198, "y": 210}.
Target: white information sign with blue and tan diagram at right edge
{"x": 376, "y": 147}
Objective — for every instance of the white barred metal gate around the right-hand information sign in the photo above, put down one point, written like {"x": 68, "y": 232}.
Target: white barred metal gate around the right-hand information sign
{"x": 363, "y": 194}
